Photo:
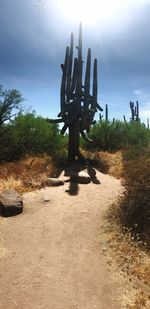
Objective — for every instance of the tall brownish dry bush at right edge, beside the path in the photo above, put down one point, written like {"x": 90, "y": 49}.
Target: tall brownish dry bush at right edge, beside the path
{"x": 135, "y": 203}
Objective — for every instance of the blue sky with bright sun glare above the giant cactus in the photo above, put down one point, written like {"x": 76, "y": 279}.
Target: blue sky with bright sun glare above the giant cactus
{"x": 34, "y": 35}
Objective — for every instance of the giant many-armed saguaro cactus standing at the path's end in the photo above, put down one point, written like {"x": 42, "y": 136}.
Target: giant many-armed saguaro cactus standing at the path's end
{"x": 78, "y": 106}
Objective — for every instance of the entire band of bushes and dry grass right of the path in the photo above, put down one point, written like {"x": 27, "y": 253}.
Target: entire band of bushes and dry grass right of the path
{"x": 126, "y": 153}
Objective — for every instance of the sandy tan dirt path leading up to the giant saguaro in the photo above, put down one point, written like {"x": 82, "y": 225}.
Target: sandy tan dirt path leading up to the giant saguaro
{"x": 53, "y": 257}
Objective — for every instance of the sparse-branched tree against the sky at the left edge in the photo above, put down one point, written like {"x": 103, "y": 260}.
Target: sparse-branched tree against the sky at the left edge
{"x": 9, "y": 100}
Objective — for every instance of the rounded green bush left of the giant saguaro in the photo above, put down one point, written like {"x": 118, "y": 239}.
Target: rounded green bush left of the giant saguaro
{"x": 29, "y": 134}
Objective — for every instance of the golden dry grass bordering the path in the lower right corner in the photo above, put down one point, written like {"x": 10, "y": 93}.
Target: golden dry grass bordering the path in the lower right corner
{"x": 130, "y": 258}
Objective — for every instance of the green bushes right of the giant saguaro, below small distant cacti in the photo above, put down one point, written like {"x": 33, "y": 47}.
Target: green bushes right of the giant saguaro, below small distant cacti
{"x": 116, "y": 135}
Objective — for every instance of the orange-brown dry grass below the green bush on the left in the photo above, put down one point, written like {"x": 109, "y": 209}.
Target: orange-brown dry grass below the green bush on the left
{"x": 26, "y": 174}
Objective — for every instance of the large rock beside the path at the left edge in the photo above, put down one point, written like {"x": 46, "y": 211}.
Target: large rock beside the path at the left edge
{"x": 11, "y": 203}
